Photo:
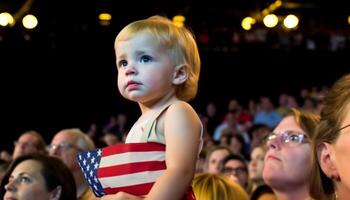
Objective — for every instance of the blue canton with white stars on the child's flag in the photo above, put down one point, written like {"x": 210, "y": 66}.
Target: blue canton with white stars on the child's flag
{"x": 89, "y": 162}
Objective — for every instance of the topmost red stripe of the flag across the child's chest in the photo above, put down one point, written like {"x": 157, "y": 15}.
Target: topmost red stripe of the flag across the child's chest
{"x": 132, "y": 147}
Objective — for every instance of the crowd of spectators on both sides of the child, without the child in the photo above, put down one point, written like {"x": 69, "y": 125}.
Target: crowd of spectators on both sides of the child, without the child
{"x": 247, "y": 157}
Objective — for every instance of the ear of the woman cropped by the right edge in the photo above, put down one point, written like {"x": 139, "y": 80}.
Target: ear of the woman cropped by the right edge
{"x": 325, "y": 158}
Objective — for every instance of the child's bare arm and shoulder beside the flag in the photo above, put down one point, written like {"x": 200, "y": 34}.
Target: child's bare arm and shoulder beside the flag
{"x": 182, "y": 131}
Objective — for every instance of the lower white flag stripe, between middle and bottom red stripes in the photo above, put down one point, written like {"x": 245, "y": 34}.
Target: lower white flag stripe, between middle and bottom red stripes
{"x": 130, "y": 179}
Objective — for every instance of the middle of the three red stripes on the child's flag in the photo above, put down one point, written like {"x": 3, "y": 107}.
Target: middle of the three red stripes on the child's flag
{"x": 130, "y": 168}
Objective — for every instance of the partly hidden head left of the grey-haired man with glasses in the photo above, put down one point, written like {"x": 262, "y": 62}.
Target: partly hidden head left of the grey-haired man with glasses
{"x": 29, "y": 142}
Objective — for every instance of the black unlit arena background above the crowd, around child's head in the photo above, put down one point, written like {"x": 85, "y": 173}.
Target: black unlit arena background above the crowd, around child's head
{"x": 62, "y": 74}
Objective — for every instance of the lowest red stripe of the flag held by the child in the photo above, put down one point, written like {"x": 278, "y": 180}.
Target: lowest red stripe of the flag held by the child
{"x": 138, "y": 190}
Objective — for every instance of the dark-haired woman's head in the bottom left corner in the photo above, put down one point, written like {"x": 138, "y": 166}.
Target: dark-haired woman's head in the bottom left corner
{"x": 38, "y": 177}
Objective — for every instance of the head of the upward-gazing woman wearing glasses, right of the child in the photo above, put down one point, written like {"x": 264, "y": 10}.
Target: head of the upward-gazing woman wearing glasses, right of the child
{"x": 288, "y": 157}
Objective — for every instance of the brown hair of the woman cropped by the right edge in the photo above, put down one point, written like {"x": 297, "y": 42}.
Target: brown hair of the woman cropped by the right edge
{"x": 333, "y": 112}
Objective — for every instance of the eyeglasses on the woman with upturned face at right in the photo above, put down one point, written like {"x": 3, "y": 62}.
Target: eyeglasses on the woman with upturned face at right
{"x": 289, "y": 138}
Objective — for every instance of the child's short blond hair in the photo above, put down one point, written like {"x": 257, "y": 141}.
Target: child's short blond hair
{"x": 178, "y": 40}
